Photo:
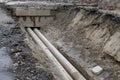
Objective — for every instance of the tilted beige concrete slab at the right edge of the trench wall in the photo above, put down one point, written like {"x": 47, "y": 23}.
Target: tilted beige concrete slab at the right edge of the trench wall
{"x": 112, "y": 47}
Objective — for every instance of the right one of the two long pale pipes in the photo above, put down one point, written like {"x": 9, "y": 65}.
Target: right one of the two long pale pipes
{"x": 66, "y": 64}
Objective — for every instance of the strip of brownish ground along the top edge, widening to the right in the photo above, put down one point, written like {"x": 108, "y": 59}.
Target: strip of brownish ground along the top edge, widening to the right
{"x": 103, "y": 4}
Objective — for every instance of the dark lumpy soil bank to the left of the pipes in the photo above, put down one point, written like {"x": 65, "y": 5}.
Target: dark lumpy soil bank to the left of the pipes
{"x": 25, "y": 66}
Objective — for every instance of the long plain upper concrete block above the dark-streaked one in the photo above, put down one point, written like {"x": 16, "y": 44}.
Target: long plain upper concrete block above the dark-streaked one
{"x": 32, "y": 12}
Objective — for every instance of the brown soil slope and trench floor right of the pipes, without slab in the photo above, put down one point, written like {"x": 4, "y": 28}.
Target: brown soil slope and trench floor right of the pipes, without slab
{"x": 69, "y": 34}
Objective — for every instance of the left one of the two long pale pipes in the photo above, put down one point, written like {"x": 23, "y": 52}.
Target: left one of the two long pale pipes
{"x": 63, "y": 72}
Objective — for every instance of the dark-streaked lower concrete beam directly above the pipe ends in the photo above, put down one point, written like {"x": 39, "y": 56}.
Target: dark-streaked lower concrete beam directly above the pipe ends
{"x": 35, "y": 21}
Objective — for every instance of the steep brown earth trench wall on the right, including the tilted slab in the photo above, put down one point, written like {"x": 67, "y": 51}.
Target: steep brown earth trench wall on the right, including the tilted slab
{"x": 99, "y": 31}
